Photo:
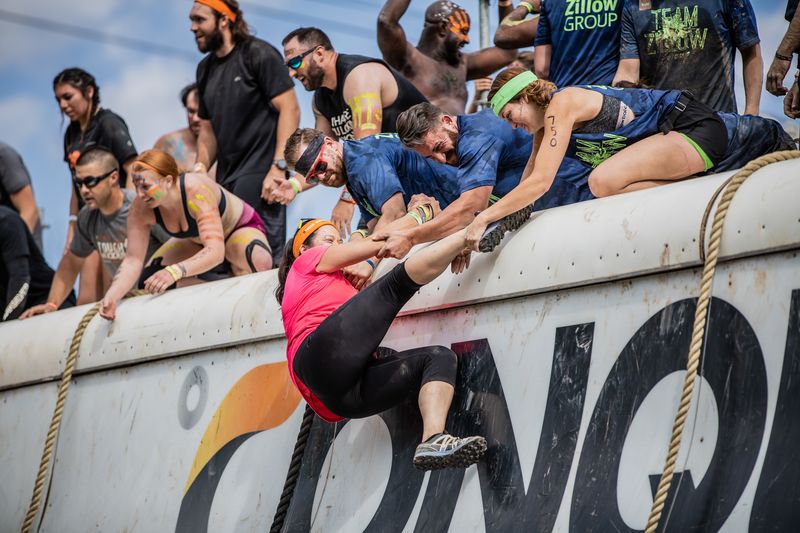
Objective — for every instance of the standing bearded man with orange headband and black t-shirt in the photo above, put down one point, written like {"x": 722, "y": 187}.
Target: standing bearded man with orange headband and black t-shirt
{"x": 248, "y": 109}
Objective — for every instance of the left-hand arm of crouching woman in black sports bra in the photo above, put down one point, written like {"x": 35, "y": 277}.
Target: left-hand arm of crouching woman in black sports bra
{"x": 140, "y": 217}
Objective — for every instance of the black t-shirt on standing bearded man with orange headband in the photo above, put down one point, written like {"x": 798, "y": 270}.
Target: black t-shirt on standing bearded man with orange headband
{"x": 235, "y": 94}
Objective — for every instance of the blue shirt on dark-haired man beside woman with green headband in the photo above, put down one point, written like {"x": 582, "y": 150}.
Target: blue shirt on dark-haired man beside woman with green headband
{"x": 491, "y": 152}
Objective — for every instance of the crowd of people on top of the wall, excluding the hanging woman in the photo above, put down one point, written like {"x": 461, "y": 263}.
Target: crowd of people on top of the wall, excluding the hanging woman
{"x": 209, "y": 200}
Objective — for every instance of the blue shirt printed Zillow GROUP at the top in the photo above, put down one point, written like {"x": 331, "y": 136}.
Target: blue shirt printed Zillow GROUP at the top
{"x": 585, "y": 39}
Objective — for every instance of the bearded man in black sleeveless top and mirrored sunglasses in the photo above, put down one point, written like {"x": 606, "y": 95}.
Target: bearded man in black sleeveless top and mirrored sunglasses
{"x": 354, "y": 96}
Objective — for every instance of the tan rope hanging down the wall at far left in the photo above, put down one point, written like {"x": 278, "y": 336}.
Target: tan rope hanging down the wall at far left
{"x": 55, "y": 422}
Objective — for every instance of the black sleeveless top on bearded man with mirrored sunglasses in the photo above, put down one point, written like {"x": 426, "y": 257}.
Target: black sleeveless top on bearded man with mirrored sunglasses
{"x": 332, "y": 105}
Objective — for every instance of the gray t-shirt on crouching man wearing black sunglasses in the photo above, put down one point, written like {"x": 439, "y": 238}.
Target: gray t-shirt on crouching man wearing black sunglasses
{"x": 108, "y": 234}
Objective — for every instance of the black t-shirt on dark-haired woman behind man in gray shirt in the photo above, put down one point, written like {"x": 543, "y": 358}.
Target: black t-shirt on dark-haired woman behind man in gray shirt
{"x": 106, "y": 129}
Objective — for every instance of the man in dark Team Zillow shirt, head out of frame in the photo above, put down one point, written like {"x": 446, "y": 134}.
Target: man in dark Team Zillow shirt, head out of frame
{"x": 691, "y": 45}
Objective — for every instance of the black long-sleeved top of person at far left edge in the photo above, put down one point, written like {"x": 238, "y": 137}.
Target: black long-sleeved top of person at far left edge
{"x": 25, "y": 277}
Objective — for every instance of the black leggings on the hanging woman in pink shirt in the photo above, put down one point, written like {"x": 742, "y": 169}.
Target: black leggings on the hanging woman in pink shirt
{"x": 339, "y": 360}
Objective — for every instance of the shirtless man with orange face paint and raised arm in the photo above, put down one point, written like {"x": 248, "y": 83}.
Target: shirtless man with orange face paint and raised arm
{"x": 436, "y": 66}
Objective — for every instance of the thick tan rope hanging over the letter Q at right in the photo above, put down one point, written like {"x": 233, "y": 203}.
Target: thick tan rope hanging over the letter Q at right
{"x": 698, "y": 332}
